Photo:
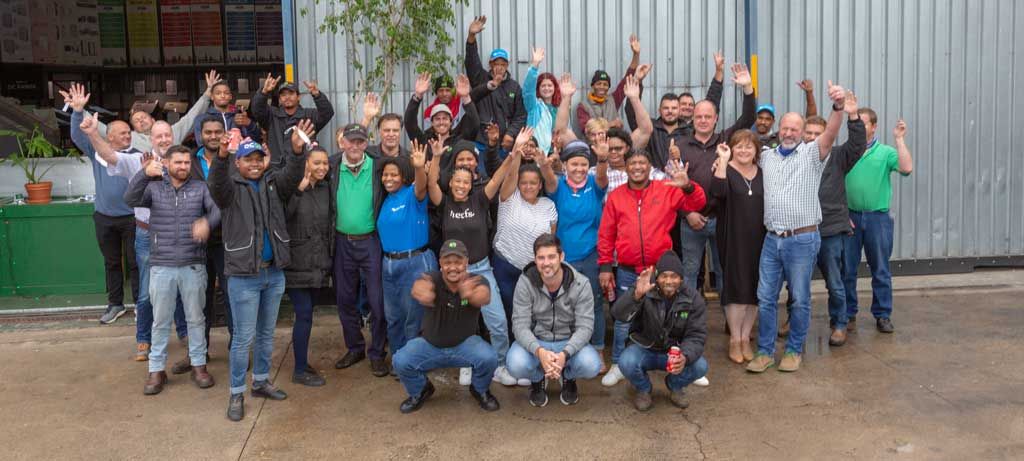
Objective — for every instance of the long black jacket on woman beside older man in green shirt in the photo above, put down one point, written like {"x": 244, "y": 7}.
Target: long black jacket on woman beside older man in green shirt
{"x": 310, "y": 226}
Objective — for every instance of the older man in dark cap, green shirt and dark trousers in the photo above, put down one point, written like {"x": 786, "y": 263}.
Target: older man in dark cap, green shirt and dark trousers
{"x": 356, "y": 188}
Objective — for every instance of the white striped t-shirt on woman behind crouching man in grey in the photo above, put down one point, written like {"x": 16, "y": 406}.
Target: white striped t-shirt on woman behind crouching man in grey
{"x": 520, "y": 224}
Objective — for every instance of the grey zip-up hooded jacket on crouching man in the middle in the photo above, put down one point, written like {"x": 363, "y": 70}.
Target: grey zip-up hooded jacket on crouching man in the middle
{"x": 536, "y": 317}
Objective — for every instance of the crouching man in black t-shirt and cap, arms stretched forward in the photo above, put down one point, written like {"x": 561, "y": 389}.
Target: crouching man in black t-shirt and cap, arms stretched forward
{"x": 452, "y": 300}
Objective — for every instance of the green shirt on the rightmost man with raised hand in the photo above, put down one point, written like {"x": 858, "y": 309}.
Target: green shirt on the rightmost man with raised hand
{"x": 868, "y": 186}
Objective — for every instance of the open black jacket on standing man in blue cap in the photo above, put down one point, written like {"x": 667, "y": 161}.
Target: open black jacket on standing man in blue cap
{"x": 246, "y": 214}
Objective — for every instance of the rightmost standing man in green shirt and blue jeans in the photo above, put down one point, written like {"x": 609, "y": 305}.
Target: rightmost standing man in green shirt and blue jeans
{"x": 869, "y": 194}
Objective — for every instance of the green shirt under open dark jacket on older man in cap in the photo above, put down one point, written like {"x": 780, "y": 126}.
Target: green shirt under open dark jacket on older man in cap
{"x": 356, "y": 200}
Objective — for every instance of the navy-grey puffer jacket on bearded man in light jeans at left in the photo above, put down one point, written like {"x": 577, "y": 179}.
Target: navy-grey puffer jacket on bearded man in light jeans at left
{"x": 173, "y": 214}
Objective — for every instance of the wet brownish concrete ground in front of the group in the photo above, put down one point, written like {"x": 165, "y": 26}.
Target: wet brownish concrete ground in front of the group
{"x": 945, "y": 387}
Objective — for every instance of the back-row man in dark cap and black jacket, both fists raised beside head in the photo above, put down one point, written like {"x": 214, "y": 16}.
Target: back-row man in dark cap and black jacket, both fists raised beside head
{"x": 279, "y": 119}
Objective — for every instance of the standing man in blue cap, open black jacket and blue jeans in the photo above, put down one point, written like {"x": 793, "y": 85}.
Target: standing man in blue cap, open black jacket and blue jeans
{"x": 257, "y": 249}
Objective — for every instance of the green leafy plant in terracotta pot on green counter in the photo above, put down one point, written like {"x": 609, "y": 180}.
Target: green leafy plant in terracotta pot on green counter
{"x": 32, "y": 148}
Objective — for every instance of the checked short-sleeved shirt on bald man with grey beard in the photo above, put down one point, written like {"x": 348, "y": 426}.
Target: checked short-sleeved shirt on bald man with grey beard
{"x": 792, "y": 188}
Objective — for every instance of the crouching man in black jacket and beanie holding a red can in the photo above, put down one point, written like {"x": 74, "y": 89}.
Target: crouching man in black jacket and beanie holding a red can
{"x": 672, "y": 316}
